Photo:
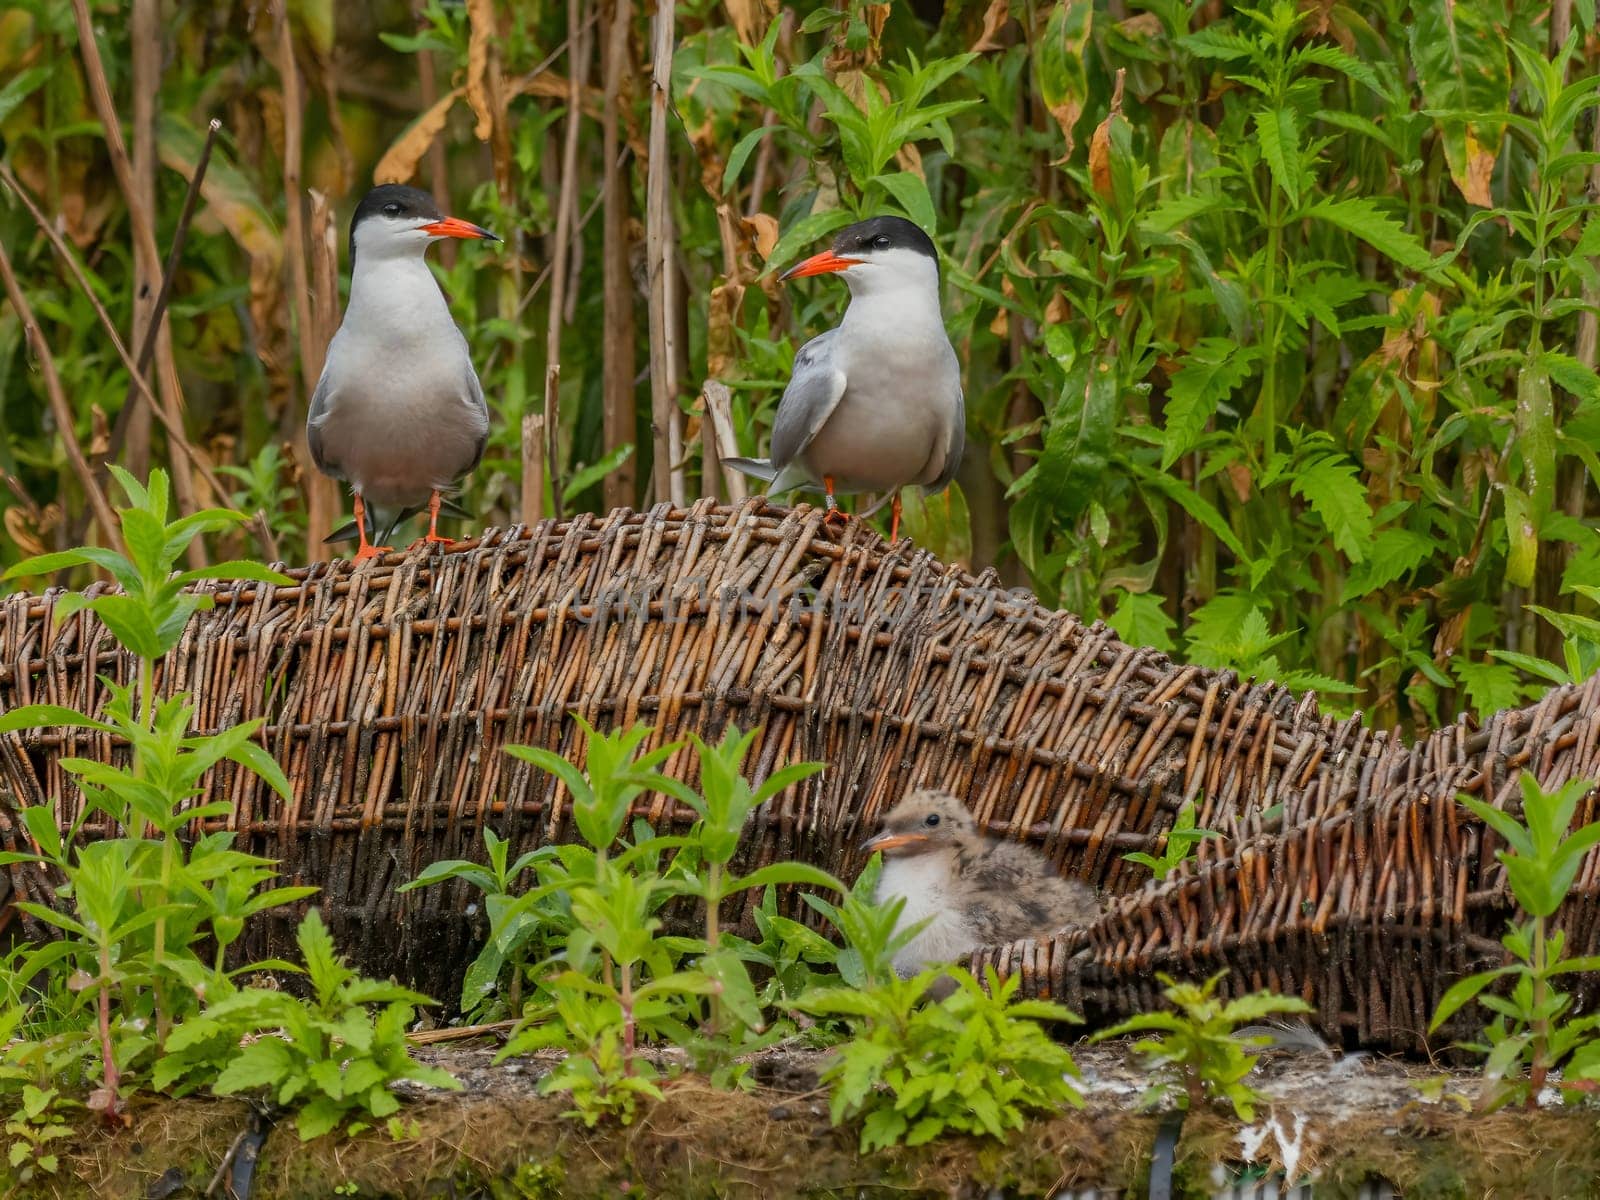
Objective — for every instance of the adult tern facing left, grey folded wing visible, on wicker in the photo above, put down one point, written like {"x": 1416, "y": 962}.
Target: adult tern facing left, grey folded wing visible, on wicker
{"x": 876, "y": 404}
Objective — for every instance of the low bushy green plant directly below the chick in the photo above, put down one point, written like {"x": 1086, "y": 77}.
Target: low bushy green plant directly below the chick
{"x": 977, "y": 1062}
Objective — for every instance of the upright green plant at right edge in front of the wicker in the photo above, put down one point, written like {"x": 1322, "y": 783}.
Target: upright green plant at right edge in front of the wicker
{"x": 1532, "y": 1033}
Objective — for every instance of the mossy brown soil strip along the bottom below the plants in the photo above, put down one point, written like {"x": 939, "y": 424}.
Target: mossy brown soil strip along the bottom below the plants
{"x": 1340, "y": 1121}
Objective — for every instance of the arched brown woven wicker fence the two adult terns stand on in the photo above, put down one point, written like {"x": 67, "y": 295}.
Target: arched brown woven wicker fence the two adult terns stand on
{"x": 1348, "y": 874}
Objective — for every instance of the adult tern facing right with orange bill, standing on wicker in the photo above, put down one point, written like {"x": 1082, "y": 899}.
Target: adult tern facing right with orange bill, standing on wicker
{"x": 399, "y": 412}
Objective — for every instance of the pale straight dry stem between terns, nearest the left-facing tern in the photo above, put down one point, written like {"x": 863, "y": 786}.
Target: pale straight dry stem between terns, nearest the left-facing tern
{"x": 658, "y": 244}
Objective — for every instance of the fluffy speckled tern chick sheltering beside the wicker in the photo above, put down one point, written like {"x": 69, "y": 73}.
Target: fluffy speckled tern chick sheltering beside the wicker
{"x": 974, "y": 889}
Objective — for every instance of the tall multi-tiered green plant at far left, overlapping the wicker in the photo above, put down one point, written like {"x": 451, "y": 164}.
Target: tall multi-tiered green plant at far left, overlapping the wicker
{"x": 143, "y": 905}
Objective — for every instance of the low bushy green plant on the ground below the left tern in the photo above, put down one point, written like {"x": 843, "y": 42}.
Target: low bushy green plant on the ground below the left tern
{"x": 330, "y": 1057}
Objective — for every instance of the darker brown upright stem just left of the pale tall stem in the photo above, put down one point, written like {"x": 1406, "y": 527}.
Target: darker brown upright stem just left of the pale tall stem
{"x": 617, "y": 356}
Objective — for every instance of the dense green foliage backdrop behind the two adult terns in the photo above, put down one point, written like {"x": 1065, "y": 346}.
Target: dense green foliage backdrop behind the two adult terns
{"x": 1278, "y": 322}
